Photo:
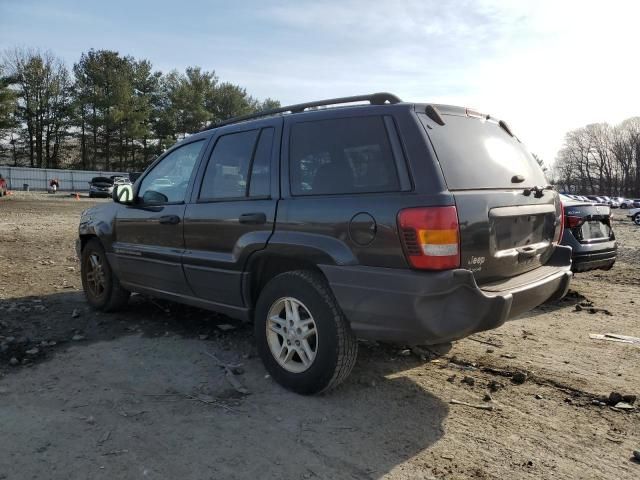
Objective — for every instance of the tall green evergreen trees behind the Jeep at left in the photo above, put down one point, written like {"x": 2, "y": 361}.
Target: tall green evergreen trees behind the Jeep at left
{"x": 108, "y": 112}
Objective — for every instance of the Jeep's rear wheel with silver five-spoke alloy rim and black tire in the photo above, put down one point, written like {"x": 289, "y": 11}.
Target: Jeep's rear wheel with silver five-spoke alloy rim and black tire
{"x": 294, "y": 308}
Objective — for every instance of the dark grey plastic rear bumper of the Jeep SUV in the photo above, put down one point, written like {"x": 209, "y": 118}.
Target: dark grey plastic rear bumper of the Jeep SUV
{"x": 435, "y": 307}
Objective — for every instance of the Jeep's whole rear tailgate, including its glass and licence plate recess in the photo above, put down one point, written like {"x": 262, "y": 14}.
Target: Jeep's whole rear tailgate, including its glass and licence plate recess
{"x": 509, "y": 222}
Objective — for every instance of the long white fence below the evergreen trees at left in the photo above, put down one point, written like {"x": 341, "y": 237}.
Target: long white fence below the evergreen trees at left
{"x": 22, "y": 178}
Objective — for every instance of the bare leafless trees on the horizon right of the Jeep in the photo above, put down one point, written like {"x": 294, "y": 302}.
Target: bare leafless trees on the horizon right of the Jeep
{"x": 601, "y": 159}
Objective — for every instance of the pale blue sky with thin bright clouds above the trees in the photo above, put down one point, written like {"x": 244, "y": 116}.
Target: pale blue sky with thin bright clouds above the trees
{"x": 545, "y": 67}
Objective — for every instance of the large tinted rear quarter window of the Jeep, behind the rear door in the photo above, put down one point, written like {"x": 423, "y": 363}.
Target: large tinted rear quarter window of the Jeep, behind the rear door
{"x": 345, "y": 155}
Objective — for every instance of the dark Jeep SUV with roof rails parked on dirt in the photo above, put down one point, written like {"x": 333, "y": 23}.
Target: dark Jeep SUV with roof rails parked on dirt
{"x": 393, "y": 221}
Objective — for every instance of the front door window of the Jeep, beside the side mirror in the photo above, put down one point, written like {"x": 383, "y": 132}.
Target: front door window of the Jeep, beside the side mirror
{"x": 168, "y": 181}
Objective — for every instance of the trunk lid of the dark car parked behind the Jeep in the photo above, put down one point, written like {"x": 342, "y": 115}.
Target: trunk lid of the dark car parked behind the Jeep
{"x": 589, "y": 223}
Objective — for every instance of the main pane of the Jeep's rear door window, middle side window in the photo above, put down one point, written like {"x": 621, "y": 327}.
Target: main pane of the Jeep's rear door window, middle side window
{"x": 227, "y": 172}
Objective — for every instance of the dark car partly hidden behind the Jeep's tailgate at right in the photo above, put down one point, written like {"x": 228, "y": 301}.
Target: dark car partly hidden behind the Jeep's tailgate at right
{"x": 588, "y": 231}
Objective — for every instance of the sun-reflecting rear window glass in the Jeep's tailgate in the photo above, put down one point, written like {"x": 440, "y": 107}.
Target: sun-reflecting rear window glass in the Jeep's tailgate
{"x": 475, "y": 153}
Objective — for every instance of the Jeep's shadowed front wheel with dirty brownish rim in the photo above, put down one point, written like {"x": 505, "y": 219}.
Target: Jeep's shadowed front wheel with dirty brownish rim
{"x": 101, "y": 286}
